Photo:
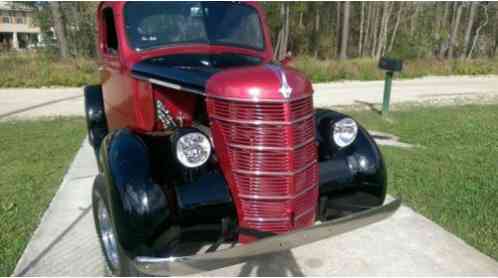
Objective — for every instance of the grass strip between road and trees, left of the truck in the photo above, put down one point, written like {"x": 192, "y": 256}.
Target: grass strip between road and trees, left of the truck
{"x": 42, "y": 70}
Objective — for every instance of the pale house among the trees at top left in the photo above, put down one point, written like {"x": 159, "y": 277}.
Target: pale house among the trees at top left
{"x": 17, "y": 29}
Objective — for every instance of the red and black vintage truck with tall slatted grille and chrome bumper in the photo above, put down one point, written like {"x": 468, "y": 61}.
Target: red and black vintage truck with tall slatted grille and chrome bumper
{"x": 209, "y": 152}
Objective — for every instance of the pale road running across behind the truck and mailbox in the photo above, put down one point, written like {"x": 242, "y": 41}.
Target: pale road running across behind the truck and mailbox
{"x": 31, "y": 103}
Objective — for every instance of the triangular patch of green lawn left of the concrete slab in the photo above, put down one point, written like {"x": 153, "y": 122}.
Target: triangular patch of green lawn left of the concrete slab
{"x": 34, "y": 157}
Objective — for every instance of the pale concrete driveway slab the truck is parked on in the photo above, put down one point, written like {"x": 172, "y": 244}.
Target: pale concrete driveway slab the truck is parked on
{"x": 65, "y": 244}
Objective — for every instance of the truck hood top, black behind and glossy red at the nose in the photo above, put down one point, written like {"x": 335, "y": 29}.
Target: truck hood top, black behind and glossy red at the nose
{"x": 244, "y": 79}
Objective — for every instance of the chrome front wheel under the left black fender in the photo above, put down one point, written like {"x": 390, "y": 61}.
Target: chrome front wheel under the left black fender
{"x": 107, "y": 235}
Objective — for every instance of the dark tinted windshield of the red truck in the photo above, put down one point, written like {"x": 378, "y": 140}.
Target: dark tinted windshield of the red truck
{"x": 155, "y": 24}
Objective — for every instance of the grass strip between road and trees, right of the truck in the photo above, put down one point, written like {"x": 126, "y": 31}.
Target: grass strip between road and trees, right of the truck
{"x": 366, "y": 68}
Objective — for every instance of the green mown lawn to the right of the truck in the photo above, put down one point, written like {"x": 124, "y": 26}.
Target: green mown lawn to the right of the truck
{"x": 453, "y": 178}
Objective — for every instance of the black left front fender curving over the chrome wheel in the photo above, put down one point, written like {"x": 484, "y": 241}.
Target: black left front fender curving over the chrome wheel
{"x": 138, "y": 206}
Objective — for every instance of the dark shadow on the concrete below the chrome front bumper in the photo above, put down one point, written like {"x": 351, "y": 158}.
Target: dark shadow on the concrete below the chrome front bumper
{"x": 276, "y": 264}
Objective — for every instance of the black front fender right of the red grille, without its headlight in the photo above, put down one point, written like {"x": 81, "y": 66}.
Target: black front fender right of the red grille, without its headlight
{"x": 358, "y": 167}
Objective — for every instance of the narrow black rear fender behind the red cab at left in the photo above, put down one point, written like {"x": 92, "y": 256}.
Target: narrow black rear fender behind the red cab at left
{"x": 95, "y": 116}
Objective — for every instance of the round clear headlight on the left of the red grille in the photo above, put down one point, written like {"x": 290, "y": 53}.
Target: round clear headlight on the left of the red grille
{"x": 193, "y": 149}
